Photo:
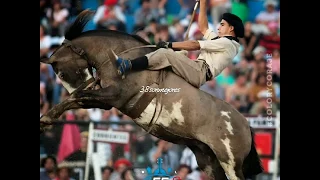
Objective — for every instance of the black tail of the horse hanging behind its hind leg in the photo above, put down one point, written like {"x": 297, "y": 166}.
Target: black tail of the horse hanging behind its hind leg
{"x": 252, "y": 164}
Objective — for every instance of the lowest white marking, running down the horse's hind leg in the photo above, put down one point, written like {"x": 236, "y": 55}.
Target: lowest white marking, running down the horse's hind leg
{"x": 230, "y": 165}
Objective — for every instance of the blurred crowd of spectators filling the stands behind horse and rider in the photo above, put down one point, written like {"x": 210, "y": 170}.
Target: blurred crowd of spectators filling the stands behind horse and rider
{"x": 244, "y": 84}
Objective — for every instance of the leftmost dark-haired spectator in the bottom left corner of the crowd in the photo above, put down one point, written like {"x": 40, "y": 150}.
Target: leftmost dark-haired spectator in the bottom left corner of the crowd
{"x": 50, "y": 166}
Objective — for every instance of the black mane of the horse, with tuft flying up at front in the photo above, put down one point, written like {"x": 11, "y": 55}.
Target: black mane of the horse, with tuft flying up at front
{"x": 75, "y": 30}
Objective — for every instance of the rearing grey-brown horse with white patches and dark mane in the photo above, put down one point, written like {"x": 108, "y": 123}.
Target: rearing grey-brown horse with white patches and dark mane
{"x": 218, "y": 135}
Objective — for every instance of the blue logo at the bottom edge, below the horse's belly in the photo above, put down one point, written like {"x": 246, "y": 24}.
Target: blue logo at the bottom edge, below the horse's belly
{"x": 160, "y": 173}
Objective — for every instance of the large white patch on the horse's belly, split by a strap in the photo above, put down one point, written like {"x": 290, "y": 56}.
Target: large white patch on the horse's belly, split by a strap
{"x": 166, "y": 117}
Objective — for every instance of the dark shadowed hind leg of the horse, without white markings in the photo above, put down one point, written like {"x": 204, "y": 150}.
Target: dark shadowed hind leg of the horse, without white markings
{"x": 208, "y": 162}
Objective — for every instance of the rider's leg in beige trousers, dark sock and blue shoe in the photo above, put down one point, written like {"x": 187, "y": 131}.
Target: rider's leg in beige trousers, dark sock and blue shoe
{"x": 193, "y": 71}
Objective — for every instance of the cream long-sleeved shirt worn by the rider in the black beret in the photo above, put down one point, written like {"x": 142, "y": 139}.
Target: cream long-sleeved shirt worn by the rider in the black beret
{"x": 217, "y": 53}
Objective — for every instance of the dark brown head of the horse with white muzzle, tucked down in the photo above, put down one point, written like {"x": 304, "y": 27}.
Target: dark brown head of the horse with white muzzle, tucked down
{"x": 71, "y": 66}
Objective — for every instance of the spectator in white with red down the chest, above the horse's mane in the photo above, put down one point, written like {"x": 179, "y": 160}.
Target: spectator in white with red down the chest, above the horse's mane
{"x": 109, "y": 14}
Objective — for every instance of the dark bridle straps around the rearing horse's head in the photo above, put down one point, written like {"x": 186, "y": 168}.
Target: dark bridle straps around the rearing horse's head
{"x": 81, "y": 53}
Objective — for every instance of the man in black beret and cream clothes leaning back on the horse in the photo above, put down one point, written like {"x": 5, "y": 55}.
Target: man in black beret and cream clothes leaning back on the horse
{"x": 217, "y": 51}
